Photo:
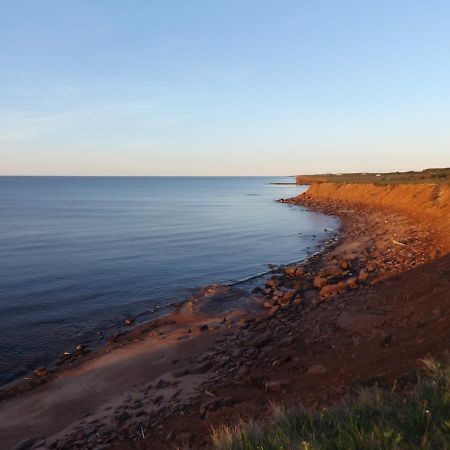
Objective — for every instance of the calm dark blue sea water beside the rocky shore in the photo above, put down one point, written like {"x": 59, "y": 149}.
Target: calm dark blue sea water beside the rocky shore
{"x": 80, "y": 254}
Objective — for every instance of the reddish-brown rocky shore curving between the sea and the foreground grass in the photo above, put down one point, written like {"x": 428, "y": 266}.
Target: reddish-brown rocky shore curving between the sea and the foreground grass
{"x": 361, "y": 311}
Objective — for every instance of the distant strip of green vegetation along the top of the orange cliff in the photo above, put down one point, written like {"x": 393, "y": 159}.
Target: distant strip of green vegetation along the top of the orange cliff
{"x": 425, "y": 176}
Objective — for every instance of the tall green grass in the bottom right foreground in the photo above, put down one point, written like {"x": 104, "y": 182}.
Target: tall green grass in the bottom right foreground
{"x": 375, "y": 419}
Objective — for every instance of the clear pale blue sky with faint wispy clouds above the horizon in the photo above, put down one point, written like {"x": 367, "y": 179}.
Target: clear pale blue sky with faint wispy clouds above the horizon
{"x": 235, "y": 87}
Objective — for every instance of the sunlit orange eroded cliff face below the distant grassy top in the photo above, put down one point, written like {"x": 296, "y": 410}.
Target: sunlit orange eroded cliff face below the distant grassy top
{"x": 427, "y": 204}
